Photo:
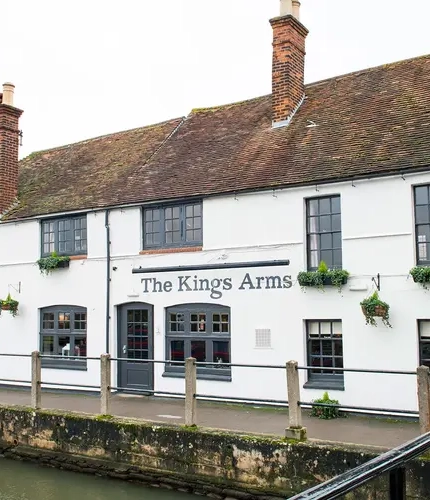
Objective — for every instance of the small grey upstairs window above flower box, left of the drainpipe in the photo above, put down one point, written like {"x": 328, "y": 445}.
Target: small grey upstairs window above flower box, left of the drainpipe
{"x": 65, "y": 236}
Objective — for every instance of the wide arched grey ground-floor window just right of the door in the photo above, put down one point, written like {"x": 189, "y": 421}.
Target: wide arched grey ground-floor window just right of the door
{"x": 201, "y": 331}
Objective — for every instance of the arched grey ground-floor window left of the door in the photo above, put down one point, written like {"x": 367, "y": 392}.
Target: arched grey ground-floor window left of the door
{"x": 63, "y": 333}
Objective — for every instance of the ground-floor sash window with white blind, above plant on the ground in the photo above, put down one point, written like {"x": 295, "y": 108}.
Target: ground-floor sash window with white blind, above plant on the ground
{"x": 324, "y": 349}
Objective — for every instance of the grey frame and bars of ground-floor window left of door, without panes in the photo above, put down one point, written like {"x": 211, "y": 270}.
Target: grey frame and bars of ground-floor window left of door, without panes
{"x": 71, "y": 364}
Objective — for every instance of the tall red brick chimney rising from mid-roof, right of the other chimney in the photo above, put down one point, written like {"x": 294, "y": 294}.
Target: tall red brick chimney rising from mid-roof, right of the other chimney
{"x": 288, "y": 68}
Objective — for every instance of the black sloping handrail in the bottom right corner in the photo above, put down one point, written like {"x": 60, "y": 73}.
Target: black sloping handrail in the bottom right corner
{"x": 392, "y": 460}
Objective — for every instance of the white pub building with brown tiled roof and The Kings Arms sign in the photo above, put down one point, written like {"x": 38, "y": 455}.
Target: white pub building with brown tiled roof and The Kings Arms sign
{"x": 186, "y": 238}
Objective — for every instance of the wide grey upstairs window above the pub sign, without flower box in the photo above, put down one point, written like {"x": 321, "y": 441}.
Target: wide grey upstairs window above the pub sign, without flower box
{"x": 173, "y": 226}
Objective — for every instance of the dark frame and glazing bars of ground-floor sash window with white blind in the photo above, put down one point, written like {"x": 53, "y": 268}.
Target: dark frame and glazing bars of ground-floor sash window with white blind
{"x": 325, "y": 380}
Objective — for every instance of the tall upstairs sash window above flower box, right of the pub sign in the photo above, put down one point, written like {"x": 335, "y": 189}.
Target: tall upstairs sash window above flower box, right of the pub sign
{"x": 324, "y": 235}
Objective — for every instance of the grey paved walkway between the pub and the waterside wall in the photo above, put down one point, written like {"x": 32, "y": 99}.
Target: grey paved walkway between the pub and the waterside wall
{"x": 369, "y": 431}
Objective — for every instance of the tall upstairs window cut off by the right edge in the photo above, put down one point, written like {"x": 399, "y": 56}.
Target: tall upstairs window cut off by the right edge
{"x": 422, "y": 225}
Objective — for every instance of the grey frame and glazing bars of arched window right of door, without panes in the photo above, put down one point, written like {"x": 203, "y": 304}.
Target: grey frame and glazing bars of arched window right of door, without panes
{"x": 210, "y": 373}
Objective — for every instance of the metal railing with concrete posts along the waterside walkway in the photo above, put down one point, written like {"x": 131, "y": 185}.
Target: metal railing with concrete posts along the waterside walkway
{"x": 294, "y": 402}
